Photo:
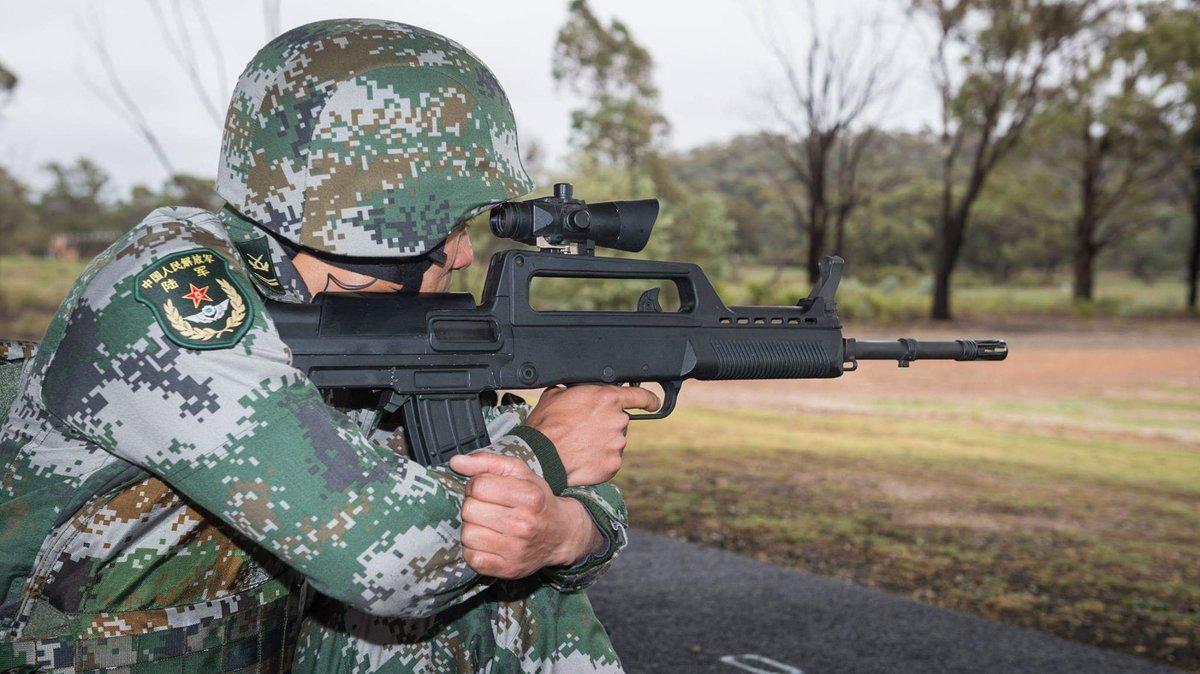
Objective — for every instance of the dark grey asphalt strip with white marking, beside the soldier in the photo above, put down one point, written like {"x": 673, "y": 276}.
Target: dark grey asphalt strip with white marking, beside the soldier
{"x": 676, "y": 607}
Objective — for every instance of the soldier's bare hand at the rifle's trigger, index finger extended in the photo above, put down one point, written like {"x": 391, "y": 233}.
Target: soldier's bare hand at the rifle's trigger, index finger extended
{"x": 587, "y": 424}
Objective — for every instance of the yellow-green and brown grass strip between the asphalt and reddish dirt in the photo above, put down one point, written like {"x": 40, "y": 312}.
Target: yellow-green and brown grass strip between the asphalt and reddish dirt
{"x": 1089, "y": 539}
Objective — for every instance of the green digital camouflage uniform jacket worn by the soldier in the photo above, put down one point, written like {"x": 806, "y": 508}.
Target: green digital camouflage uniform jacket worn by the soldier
{"x": 171, "y": 489}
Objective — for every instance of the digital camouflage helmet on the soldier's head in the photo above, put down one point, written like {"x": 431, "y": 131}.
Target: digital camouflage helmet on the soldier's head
{"x": 368, "y": 139}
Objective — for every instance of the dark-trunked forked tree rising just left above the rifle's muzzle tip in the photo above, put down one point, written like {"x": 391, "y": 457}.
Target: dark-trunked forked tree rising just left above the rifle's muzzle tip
{"x": 993, "y": 64}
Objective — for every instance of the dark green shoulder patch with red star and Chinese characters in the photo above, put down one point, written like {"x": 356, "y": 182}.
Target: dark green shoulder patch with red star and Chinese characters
{"x": 196, "y": 300}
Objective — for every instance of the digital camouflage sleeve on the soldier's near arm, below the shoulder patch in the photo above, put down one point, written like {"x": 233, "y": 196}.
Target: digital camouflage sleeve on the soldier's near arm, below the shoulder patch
{"x": 249, "y": 438}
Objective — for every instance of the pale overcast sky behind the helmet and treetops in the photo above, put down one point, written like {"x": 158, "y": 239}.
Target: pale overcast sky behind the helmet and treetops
{"x": 711, "y": 63}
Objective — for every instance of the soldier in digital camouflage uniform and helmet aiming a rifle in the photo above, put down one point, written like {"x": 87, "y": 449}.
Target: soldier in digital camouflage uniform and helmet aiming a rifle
{"x": 175, "y": 495}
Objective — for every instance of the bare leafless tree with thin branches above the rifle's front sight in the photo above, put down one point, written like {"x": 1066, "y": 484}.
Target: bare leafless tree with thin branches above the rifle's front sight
{"x": 819, "y": 124}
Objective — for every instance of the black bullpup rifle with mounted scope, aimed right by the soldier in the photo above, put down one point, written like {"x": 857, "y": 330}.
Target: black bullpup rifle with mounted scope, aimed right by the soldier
{"x": 433, "y": 357}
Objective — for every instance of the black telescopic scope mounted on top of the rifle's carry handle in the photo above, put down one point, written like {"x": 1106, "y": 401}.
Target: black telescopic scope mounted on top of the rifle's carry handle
{"x": 572, "y": 226}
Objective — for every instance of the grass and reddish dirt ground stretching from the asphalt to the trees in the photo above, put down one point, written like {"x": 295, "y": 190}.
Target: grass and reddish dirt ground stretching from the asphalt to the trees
{"x": 1059, "y": 490}
